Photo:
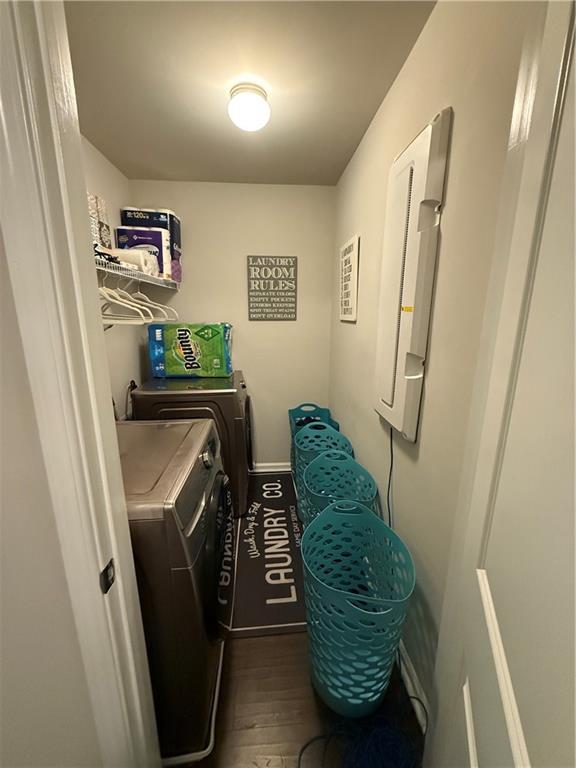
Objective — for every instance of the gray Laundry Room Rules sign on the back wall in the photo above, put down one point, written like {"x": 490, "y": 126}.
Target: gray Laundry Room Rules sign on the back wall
{"x": 272, "y": 287}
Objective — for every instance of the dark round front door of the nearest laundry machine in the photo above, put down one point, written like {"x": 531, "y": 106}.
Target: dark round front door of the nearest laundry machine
{"x": 219, "y": 557}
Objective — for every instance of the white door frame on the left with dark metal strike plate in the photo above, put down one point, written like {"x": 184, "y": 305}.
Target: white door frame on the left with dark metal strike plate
{"x": 43, "y": 219}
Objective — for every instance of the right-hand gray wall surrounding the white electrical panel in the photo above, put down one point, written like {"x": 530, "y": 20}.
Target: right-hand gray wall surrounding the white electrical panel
{"x": 466, "y": 57}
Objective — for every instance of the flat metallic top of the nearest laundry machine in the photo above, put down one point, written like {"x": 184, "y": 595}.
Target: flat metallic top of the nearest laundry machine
{"x": 156, "y": 458}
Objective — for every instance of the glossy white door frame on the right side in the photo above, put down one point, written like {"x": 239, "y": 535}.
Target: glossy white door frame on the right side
{"x": 536, "y": 119}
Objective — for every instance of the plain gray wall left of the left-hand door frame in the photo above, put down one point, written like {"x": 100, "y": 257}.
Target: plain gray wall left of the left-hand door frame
{"x": 46, "y": 716}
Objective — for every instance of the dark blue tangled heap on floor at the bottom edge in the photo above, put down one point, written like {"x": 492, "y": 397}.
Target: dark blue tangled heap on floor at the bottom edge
{"x": 382, "y": 747}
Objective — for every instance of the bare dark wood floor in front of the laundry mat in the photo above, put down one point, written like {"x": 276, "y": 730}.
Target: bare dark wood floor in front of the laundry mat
{"x": 268, "y": 709}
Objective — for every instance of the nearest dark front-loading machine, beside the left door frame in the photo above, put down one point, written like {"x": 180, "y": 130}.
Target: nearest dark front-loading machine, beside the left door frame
{"x": 182, "y": 531}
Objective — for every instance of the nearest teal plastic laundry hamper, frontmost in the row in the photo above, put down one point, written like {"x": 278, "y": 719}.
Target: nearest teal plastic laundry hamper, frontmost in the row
{"x": 359, "y": 576}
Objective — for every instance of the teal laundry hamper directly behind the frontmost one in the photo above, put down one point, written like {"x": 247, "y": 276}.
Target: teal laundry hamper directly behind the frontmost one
{"x": 332, "y": 476}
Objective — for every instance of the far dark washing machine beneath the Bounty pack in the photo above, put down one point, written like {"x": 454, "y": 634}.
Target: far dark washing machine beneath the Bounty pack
{"x": 225, "y": 400}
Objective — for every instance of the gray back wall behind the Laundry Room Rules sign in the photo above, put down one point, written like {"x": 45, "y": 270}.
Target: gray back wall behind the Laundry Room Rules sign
{"x": 284, "y": 362}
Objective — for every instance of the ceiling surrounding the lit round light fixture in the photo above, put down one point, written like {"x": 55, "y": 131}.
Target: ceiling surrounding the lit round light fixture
{"x": 152, "y": 82}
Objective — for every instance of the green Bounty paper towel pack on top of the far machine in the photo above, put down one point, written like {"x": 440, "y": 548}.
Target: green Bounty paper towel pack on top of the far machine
{"x": 189, "y": 350}
